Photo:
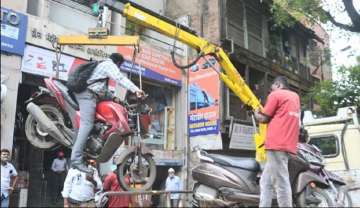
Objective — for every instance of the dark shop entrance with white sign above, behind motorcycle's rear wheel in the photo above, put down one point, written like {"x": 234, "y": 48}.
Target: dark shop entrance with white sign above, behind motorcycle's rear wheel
{"x": 35, "y": 163}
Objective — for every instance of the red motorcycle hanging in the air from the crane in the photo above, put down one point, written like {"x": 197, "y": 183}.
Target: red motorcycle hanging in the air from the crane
{"x": 54, "y": 119}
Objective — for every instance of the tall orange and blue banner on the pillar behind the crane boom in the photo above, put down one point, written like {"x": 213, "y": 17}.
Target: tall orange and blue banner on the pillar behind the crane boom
{"x": 204, "y": 95}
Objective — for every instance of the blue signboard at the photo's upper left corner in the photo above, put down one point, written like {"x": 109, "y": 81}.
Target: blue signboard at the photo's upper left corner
{"x": 13, "y": 31}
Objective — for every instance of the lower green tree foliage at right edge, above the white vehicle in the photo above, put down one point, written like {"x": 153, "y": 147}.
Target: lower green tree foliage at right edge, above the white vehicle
{"x": 331, "y": 95}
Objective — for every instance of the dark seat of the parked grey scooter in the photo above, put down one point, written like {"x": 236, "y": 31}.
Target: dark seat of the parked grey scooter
{"x": 238, "y": 162}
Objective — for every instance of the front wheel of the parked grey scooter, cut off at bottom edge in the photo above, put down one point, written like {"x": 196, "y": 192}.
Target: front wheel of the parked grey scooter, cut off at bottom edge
{"x": 315, "y": 197}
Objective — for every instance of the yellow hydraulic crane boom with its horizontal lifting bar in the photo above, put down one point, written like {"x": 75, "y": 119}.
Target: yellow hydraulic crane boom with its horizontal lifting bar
{"x": 146, "y": 18}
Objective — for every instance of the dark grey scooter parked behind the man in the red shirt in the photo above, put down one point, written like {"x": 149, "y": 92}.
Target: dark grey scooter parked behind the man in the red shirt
{"x": 226, "y": 181}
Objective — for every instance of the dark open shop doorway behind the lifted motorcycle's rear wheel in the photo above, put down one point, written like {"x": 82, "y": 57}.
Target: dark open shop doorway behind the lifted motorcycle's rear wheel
{"x": 33, "y": 164}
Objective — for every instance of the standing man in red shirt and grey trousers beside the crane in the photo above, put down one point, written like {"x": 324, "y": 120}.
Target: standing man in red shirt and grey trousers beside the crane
{"x": 281, "y": 112}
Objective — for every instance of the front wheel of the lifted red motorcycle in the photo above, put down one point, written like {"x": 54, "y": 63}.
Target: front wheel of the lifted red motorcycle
{"x": 137, "y": 172}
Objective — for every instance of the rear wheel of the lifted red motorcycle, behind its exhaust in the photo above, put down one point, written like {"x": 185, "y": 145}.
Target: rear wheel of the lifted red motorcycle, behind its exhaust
{"x": 33, "y": 132}
